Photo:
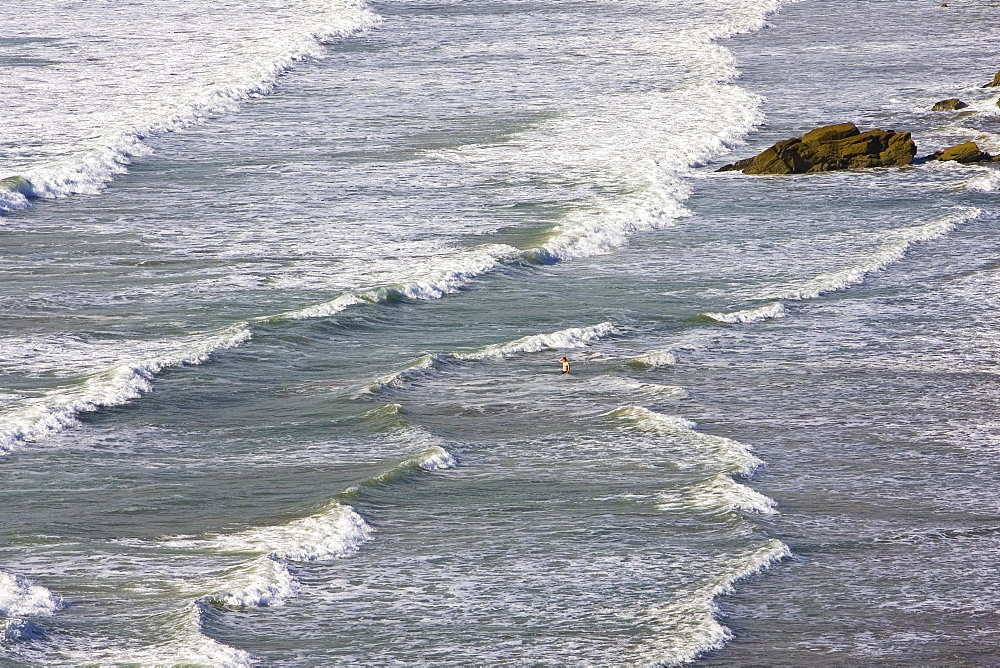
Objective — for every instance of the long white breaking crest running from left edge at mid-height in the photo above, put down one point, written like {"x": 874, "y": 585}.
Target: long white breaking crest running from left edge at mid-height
{"x": 58, "y": 410}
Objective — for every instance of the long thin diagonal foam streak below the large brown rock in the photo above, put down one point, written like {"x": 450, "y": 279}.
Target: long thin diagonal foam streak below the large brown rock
{"x": 899, "y": 242}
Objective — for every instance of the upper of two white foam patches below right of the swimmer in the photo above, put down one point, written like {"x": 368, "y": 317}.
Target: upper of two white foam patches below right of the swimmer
{"x": 719, "y": 452}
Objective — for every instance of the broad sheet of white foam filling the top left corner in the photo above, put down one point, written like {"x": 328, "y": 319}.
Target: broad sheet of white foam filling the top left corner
{"x": 149, "y": 80}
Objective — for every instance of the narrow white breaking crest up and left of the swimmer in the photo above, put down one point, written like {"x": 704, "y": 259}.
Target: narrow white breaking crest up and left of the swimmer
{"x": 437, "y": 278}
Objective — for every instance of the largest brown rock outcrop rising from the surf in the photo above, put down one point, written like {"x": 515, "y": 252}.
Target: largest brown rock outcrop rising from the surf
{"x": 831, "y": 148}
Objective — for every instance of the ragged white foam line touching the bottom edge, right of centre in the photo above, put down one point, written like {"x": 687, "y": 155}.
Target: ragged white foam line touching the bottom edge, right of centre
{"x": 690, "y": 626}
